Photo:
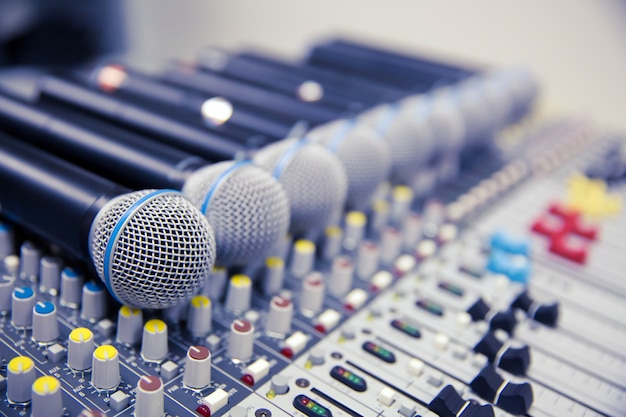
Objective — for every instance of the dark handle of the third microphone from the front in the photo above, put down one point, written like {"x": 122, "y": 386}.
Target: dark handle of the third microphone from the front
{"x": 157, "y": 126}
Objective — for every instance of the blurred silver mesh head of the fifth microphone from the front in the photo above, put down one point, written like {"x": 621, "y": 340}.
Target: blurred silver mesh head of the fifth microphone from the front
{"x": 408, "y": 134}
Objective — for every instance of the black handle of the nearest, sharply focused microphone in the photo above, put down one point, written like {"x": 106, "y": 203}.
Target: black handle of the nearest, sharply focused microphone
{"x": 49, "y": 196}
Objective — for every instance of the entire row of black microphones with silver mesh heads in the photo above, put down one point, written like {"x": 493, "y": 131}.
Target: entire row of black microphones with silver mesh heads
{"x": 207, "y": 145}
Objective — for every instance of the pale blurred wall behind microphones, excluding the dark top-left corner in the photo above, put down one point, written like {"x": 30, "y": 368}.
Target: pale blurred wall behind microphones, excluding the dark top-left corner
{"x": 577, "y": 48}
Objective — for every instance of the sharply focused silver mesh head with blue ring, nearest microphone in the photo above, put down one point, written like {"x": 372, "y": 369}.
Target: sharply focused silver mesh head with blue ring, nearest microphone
{"x": 152, "y": 249}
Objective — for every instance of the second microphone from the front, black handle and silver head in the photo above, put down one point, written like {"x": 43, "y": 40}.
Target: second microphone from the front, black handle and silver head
{"x": 248, "y": 209}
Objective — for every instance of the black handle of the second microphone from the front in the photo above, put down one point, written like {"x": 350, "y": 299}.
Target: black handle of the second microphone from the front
{"x": 119, "y": 155}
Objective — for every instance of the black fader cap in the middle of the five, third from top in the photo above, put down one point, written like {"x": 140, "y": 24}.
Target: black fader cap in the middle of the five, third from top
{"x": 514, "y": 360}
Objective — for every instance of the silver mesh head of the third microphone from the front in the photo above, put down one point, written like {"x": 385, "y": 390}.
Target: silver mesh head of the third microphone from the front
{"x": 313, "y": 178}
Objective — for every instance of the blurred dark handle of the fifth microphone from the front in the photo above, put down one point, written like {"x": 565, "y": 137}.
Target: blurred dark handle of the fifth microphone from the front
{"x": 248, "y": 95}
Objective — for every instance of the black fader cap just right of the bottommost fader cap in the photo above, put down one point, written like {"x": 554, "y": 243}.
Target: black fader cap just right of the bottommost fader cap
{"x": 514, "y": 398}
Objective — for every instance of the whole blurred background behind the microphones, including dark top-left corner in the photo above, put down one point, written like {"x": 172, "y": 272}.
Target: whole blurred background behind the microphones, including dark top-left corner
{"x": 576, "y": 48}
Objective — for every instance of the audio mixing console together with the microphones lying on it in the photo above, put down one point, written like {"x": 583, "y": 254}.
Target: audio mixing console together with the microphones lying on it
{"x": 423, "y": 243}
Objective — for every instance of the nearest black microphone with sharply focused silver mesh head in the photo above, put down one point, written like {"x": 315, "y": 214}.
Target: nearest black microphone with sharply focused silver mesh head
{"x": 151, "y": 248}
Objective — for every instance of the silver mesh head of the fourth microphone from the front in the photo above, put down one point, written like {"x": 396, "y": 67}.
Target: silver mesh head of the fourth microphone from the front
{"x": 364, "y": 154}
